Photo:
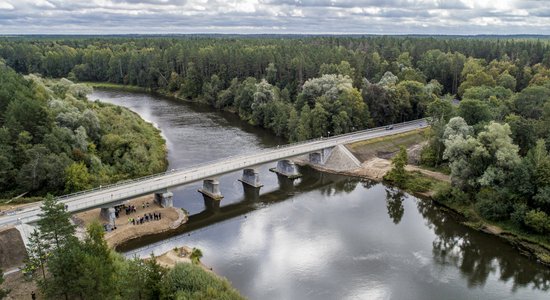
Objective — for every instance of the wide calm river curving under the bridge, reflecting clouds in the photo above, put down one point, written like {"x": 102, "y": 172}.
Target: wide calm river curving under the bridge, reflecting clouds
{"x": 323, "y": 236}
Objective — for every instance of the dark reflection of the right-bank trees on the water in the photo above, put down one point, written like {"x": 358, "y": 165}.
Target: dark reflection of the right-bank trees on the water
{"x": 477, "y": 255}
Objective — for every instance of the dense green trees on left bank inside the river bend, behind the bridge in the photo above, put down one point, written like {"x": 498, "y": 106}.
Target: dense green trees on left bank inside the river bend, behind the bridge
{"x": 52, "y": 140}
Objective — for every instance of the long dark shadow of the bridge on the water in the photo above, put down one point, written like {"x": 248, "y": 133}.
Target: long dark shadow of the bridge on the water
{"x": 252, "y": 200}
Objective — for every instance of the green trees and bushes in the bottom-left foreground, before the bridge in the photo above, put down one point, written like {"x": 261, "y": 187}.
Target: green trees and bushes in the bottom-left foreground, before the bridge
{"x": 65, "y": 267}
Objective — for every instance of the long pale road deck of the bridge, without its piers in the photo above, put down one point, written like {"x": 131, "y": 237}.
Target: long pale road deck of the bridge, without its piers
{"x": 131, "y": 189}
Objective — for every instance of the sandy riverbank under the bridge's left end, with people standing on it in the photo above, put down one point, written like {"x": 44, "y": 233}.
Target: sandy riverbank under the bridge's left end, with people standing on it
{"x": 172, "y": 218}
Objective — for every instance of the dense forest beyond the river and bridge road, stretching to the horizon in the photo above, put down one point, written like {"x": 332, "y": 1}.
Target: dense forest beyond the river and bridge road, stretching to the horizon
{"x": 348, "y": 83}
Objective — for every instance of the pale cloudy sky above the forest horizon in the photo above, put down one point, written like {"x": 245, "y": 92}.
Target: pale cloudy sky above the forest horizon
{"x": 462, "y": 17}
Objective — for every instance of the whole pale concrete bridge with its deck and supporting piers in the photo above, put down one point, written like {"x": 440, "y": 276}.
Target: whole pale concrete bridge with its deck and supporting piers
{"x": 320, "y": 151}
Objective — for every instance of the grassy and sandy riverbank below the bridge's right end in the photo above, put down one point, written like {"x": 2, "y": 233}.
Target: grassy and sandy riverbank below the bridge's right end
{"x": 375, "y": 157}
